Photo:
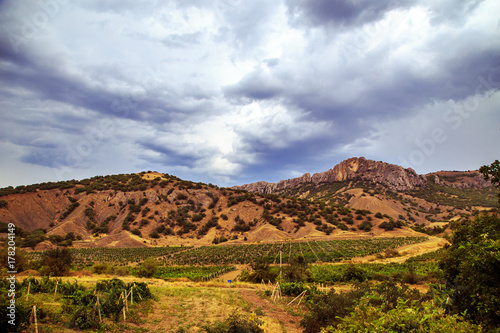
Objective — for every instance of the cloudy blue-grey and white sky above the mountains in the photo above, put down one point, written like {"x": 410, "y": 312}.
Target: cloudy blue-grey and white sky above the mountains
{"x": 230, "y": 92}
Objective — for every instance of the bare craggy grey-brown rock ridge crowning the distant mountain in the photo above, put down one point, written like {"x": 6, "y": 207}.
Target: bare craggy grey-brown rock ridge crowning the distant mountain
{"x": 395, "y": 177}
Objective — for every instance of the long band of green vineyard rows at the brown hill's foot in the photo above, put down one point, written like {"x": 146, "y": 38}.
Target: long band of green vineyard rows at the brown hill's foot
{"x": 313, "y": 251}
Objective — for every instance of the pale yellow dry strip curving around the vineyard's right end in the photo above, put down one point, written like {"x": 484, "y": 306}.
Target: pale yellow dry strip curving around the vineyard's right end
{"x": 407, "y": 251}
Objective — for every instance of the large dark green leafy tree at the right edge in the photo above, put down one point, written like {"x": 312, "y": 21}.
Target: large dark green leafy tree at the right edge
{"x": 472, "y": 268}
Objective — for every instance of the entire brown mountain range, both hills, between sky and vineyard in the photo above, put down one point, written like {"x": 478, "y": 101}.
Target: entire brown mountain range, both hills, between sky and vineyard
{"x": 357, "y": 198}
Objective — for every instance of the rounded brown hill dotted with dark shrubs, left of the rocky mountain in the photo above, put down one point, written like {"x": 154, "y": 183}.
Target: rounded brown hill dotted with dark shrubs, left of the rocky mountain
{"x": 153, "y": 209}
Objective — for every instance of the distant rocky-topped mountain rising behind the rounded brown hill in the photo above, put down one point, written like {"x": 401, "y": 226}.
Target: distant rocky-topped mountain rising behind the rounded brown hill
{"x": 455, "y": 189}
